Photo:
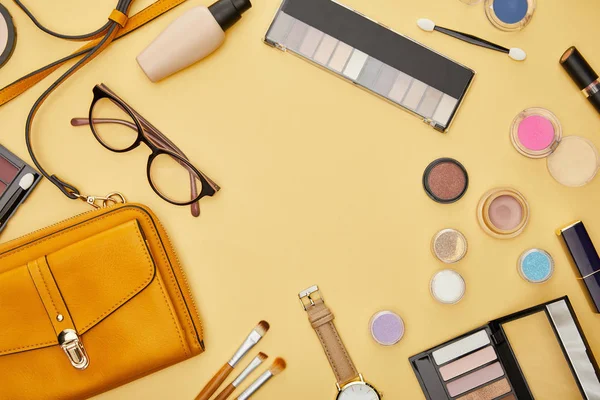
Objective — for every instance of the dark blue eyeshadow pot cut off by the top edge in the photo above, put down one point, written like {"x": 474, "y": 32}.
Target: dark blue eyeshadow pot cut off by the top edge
{"x": 509, "y": 15}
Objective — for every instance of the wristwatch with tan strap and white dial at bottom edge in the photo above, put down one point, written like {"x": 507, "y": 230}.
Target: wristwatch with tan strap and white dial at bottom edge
{"x": 350, "y": 384}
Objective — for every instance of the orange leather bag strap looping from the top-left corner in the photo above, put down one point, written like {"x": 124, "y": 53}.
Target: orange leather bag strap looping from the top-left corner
{"x": 118, "y": 26}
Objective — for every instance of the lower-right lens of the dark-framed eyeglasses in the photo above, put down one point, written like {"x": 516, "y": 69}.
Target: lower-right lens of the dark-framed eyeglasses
{"x": 174, "y": 179}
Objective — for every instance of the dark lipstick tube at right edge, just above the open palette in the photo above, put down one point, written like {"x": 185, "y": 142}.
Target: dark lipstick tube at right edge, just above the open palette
{"x": 584, "y": 254}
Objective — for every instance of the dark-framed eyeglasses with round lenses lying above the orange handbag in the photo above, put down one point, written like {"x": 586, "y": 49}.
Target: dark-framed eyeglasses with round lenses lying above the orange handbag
{"x": 120, "y": 128}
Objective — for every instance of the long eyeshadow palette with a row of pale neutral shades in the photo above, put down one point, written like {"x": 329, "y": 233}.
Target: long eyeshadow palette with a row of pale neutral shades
{"x": 372, "y": 56}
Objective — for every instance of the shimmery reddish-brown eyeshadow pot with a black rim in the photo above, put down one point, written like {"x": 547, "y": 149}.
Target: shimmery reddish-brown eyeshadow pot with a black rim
{"x": 445, "y": 180}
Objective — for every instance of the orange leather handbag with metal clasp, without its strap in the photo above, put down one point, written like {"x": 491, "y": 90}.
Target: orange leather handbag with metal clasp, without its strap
{"x": 92, "y": 303}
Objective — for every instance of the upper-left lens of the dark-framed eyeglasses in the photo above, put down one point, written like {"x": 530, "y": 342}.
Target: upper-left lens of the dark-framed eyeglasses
{"x": 113, "y": 125}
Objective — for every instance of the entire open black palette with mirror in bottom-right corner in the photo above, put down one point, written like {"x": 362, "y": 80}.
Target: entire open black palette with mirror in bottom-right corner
{"x": 537, "y": 353}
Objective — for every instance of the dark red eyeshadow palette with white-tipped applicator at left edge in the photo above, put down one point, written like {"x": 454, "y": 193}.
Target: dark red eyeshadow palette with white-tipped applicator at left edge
{"x": 17, "y": 180}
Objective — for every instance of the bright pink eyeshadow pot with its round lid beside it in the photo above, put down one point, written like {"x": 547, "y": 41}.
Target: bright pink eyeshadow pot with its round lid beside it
{"x": 571, "y": 160}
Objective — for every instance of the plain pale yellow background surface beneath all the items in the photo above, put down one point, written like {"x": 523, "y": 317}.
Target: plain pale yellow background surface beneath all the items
{"x": 321, "y": 182}
